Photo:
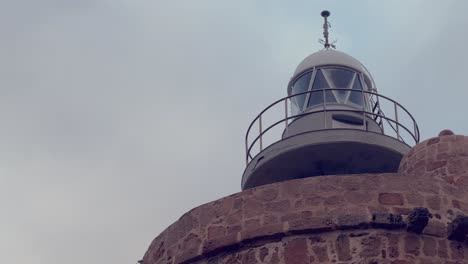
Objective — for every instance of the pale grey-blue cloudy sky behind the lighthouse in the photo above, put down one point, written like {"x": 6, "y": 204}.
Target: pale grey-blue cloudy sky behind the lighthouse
{"x": 117, "y": 116}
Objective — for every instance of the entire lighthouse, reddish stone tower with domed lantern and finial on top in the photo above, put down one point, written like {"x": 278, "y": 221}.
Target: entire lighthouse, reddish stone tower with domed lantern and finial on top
{"x": 339, "y": 183}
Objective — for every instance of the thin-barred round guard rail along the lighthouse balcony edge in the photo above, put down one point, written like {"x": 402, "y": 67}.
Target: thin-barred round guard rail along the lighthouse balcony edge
{"x": 379, "y": 114}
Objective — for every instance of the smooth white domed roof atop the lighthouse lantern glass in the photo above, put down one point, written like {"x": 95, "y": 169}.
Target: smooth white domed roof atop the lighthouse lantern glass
{"x": 330, "y": 57}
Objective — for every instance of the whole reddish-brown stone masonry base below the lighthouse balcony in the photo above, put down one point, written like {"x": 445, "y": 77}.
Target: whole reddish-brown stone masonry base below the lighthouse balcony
{"x": 373, "y": 218}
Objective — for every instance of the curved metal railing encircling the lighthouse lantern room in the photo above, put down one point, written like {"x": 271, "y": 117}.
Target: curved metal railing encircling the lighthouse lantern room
{"x": 374, "y": 111}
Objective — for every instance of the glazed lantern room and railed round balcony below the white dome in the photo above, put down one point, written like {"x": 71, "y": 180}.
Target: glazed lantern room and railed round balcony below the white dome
{"x": 332, "y": 122}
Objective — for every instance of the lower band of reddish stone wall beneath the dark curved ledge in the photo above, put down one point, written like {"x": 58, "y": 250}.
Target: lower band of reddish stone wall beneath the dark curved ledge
{"x": 359, "y": 246}
